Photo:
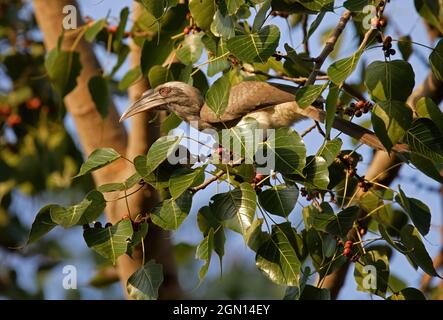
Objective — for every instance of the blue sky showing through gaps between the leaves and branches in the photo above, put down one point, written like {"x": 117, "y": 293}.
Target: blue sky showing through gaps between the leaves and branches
{"x": 406, "y": 22}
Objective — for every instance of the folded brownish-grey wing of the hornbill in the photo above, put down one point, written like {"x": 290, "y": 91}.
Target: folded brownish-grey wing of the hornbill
{"x": 247, "y": 97}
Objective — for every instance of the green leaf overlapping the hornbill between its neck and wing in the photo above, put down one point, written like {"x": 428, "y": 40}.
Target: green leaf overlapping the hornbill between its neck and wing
{"x": 217, "y": 96}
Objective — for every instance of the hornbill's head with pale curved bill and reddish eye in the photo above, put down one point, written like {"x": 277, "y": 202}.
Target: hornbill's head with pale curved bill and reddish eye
{"x": 181, "y": 98}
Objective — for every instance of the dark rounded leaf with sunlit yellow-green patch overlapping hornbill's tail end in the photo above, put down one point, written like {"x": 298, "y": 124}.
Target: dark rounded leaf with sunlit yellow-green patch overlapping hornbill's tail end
{"x": 391, "y": 120}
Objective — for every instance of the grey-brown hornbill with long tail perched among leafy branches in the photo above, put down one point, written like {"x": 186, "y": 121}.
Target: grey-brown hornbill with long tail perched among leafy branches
{"x": 272, "y": 105}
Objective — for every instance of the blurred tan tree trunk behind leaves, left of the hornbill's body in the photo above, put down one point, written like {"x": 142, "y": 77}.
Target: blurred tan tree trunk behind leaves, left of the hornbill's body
{"x": 94, "y": 133}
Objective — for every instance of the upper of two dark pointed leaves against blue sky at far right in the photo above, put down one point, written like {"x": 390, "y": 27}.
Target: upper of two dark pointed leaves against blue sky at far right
{"x": 416, "y": 210}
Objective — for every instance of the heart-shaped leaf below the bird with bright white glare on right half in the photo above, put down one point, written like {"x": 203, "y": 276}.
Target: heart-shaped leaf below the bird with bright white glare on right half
{"x": 235, "y": 209}
